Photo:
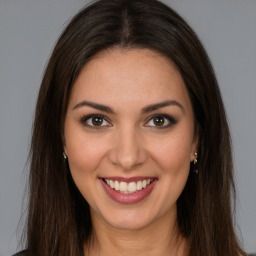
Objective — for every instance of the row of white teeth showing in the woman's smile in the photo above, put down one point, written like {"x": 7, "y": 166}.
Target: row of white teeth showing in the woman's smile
{"x": 128, "y": 188}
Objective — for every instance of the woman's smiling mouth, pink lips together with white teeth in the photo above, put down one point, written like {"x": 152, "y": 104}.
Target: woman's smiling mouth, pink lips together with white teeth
{"x": 128, "y": 191}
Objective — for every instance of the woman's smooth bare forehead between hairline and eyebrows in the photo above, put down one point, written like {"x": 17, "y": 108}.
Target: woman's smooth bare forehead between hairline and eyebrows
{"x": 131, "y": 76}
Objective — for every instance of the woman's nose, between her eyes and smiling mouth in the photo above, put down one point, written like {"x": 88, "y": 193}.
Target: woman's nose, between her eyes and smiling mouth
{"x": 128, "y": 150}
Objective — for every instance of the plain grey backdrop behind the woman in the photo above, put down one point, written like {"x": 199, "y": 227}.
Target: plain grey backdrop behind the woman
{"x": 28, "y": 31}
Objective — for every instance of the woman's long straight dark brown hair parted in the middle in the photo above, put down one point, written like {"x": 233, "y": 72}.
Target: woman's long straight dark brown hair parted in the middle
{"x": 58, "y": 216}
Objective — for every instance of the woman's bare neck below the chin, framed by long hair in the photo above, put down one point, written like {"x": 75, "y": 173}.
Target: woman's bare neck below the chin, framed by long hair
{"x": 161, "y": 238}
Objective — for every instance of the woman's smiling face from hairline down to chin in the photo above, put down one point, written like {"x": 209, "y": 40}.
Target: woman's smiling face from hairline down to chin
{"x": 129, "y": 137}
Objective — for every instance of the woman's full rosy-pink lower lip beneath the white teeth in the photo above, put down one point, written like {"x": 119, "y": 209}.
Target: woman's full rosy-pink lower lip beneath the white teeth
{"x": 128, "y": 198}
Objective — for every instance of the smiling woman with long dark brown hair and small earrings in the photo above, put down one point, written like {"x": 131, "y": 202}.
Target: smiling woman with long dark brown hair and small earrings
{"x": 131, "y": 150}
